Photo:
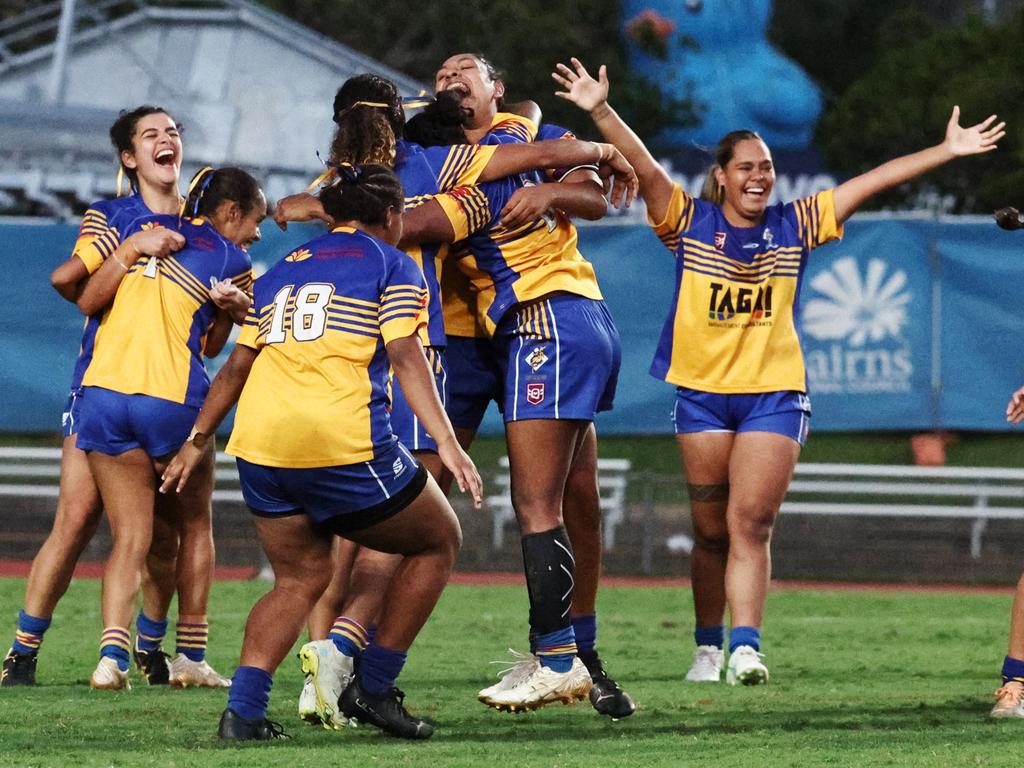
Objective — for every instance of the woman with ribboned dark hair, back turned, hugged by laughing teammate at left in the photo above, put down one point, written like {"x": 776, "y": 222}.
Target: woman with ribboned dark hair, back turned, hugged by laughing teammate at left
{"x": 144, "y": 387}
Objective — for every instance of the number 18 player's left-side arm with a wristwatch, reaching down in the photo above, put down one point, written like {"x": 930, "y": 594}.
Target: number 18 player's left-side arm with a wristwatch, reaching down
{"x": 225, "y": 393}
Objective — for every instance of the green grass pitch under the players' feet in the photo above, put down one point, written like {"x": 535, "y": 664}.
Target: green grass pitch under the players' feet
{"x": 859, "y": 679}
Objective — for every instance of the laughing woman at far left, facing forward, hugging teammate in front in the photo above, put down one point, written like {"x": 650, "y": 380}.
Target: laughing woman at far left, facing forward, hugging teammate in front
{"x": 149, "y": 145}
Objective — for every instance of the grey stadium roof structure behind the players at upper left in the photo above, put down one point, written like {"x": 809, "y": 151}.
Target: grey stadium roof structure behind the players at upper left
{"x": 252, "y": 89}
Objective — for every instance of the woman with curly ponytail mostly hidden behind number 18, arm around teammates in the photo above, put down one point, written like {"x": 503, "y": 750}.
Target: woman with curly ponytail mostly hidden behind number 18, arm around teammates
{"x": 370, "y": 118}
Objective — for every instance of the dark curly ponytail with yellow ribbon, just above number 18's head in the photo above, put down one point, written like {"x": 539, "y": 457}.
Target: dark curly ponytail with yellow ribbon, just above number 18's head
{"x": 370, "y": 118}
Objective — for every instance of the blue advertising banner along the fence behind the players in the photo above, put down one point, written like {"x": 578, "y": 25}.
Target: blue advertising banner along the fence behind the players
{"x": 906, "y": 324}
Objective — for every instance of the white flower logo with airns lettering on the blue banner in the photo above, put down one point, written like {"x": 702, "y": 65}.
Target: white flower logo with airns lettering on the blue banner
{"x": 855, "y": 324}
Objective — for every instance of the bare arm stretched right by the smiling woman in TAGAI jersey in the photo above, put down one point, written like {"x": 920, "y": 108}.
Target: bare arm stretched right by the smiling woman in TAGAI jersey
{"x": 959, "y": 142}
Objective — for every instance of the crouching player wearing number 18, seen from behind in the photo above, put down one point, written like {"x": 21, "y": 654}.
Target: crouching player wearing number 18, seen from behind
{"x": 317, "y": 454}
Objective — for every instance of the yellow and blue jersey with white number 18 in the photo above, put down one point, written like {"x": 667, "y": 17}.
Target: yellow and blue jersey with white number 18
{"x": 318, "y": 393}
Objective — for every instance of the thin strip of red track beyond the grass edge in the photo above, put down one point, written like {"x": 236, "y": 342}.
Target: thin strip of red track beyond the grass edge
{"x": 225, "y": 573}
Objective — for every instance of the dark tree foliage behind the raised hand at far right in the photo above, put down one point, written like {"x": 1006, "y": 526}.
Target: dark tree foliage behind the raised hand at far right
{"x": 903, "y": 102}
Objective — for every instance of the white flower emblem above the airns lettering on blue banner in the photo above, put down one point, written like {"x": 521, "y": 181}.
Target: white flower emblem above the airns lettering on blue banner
{"x": 873, "y": 309}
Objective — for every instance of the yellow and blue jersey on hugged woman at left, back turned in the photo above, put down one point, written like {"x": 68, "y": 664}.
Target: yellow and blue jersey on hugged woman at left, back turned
{"x": 150, "y": 340}
